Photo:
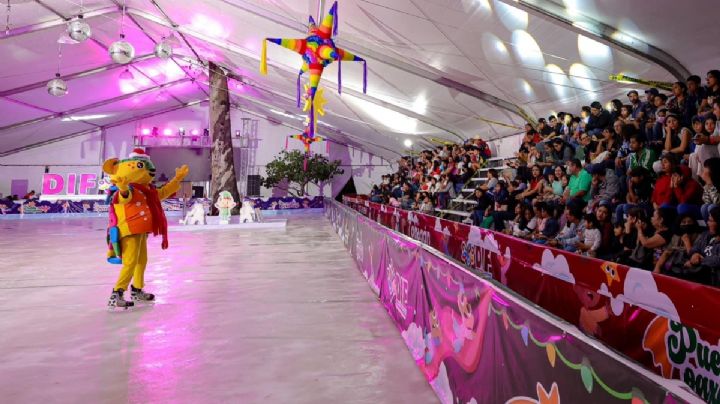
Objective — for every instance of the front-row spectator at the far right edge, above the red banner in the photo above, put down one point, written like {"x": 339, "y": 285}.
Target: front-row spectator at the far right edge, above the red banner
{"x": 704, "y": 261}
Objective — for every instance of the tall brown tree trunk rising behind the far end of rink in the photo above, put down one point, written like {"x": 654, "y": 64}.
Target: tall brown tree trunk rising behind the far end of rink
{"x": 222, "y": 163}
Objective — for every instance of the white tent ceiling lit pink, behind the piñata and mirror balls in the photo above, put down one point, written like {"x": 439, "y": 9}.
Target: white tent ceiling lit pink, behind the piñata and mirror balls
{"x": 437, "y": 68}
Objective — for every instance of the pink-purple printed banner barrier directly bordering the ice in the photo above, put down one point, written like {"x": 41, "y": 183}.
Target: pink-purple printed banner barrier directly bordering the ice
{"x": 477, "y": 342}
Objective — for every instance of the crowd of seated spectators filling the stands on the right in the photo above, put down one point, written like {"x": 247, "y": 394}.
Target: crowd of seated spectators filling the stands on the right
{"x": 635, "y": 182}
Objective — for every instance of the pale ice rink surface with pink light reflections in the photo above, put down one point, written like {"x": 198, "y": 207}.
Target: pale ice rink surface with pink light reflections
{"x": 262, "y": 316}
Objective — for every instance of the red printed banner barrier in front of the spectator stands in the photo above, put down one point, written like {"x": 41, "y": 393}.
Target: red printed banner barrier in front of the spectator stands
{"x": 666, "y": 324}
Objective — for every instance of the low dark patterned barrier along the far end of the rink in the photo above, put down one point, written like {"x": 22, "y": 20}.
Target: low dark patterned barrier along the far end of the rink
{"x": 35, "y": 206}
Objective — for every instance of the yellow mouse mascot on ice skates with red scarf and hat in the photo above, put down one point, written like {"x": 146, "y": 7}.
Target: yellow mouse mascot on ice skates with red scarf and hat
{"x": 135, "y": 211}
